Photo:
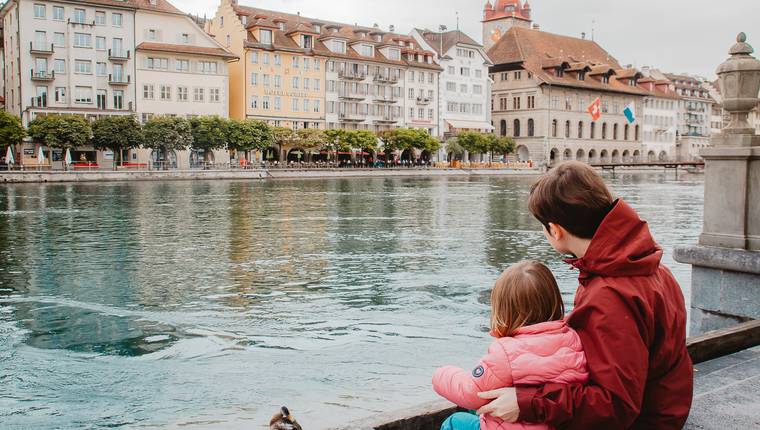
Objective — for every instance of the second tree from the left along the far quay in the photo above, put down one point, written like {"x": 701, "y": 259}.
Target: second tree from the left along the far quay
{"x": 60, "y": 131}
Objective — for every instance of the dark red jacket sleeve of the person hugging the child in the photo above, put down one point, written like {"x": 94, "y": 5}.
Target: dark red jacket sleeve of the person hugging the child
{"x": 612, "y": 331}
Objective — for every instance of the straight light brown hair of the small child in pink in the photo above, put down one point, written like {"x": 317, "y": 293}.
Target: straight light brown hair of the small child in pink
{"x": 525, "y": 294}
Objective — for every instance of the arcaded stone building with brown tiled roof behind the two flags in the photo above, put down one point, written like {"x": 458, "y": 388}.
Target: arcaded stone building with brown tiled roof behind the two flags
{"x": 543, "y": 86}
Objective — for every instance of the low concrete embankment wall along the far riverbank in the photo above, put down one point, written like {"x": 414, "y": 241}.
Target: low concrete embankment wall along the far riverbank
{"x": 260, "y": 174}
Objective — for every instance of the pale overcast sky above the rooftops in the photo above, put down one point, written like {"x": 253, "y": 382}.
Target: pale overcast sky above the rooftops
{"x": 676, "y": 36}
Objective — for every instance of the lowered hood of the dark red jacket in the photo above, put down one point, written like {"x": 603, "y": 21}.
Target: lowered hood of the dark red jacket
{"x": 622, "y": 246}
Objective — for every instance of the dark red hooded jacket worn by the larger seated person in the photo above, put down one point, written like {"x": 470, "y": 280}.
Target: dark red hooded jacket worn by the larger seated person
{"x": 631, "y": 318}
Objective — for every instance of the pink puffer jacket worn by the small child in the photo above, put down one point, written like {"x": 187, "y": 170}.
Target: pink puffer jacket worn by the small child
{"x": 538, "y": 354}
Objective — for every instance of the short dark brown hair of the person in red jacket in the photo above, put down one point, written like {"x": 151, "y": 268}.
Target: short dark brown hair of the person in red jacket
{"x": 572, "y": 195}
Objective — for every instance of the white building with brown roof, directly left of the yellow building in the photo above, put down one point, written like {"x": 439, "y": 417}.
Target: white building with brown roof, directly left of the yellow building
{"x": 181, "y": 71}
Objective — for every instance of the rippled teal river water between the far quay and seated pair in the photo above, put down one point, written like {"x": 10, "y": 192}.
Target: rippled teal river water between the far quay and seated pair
{"x": 209, "y": 304}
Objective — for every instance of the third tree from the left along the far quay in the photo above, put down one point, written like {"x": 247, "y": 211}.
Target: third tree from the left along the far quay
{"x": 116, "y": 133}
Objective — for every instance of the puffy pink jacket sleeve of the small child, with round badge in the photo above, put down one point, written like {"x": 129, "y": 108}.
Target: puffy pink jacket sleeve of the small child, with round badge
{"x": 462, "y": 387}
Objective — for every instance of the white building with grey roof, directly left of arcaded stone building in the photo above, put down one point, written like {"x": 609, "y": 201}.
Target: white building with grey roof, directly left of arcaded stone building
{"x": 465, "y": 86}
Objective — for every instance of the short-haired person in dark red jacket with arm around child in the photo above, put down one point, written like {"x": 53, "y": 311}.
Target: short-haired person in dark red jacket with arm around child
{"x": 629, "y": 313}
